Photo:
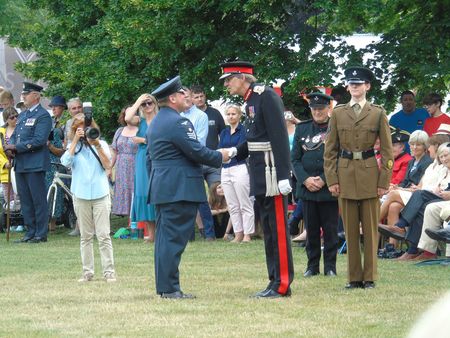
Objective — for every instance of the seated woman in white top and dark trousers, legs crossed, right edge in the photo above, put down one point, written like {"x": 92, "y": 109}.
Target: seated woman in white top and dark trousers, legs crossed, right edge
{"x": 412, "y": 214}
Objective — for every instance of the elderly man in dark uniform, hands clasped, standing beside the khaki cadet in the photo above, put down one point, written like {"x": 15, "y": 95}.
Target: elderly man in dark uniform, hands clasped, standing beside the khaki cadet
{"x": 320, "y": 208}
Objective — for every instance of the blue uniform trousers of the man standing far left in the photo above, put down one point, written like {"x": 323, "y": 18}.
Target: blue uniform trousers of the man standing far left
{"x": 33, "y": 201}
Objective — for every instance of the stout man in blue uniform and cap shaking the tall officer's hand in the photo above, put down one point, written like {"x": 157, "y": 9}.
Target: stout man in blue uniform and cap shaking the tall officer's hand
{"x": 176, "y": 183}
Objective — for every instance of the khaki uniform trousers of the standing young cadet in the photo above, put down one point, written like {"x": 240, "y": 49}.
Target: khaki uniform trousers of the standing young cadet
{"x": 365, "y": 212}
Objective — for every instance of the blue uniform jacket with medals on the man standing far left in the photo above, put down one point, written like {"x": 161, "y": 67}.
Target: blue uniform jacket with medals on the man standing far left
{"x": 30, "y": 138}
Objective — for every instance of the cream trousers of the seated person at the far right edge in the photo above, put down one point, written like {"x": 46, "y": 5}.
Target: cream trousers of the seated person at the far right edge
{"x": 432, "y": 220}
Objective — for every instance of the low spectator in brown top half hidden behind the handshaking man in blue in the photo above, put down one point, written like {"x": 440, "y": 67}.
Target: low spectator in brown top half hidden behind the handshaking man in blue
{"x": 219, "y": 210}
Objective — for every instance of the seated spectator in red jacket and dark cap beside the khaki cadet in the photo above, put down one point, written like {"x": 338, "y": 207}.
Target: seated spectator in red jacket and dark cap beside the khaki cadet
{"x": 401, "y": 157}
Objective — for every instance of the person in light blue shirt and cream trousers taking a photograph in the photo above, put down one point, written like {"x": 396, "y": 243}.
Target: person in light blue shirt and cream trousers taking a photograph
{"x": 89, "y": 157}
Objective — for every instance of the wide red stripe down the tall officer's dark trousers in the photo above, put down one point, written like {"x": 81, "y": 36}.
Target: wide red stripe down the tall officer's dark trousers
{"x": 282, "y": 245}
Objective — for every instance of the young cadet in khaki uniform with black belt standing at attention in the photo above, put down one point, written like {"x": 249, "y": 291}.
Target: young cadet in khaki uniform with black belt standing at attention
{"x": 353, "y": 175}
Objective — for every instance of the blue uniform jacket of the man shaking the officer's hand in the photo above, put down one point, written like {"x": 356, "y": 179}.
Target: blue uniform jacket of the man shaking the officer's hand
{"x": 176, "y": 155}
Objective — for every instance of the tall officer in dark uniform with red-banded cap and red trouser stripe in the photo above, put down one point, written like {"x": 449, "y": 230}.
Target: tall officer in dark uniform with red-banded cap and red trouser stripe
{"x": 267, "y": 147}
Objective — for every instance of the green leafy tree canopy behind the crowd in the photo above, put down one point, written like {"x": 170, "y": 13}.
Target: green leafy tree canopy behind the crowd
{"x": 111, "y": 51}
